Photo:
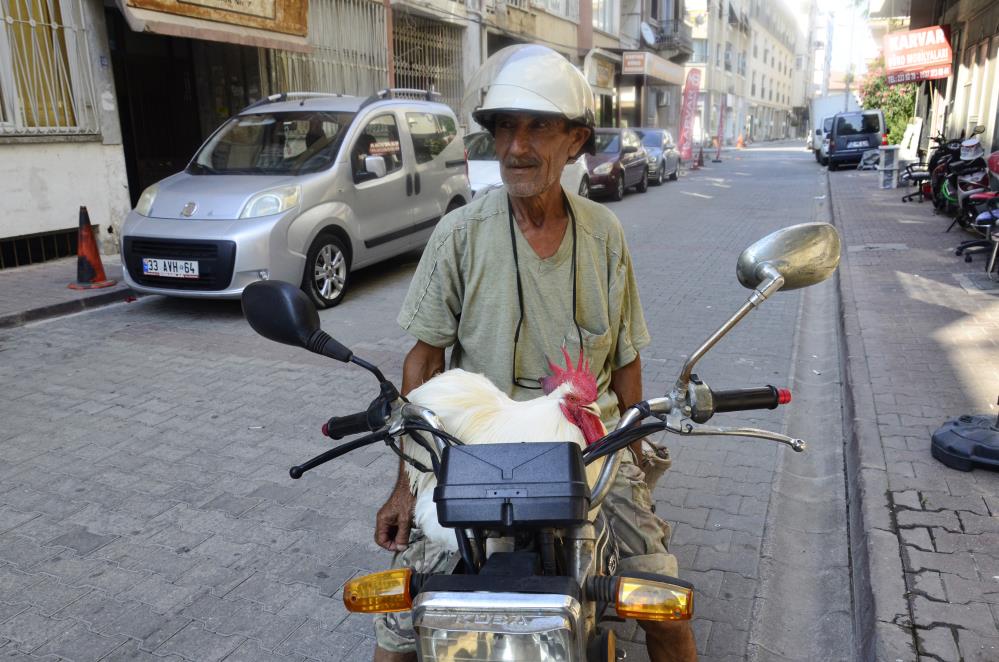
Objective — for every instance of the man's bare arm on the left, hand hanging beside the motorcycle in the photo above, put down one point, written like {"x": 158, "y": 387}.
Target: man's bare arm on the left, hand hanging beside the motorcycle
{"x": 393, "y": 520}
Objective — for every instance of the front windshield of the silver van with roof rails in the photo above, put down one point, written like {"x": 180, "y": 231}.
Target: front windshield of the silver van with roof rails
{"x": 273, "y": 144}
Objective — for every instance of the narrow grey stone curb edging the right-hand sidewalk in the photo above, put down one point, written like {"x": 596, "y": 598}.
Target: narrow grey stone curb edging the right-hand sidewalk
{"x": 881, "y": 611}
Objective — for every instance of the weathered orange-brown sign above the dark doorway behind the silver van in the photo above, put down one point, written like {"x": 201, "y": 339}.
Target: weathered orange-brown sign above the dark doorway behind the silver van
{"x": 286, "y": 16}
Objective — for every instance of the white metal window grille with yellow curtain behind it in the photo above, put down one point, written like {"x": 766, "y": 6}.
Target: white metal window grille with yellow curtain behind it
{"x": 46, "y": 84}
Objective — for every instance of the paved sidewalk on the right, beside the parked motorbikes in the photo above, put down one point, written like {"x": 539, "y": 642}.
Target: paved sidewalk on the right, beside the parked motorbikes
{"x": 923, "y": 347}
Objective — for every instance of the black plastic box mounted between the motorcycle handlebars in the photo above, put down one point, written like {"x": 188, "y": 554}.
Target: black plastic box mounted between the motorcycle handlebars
{"x": 539, "y": 484}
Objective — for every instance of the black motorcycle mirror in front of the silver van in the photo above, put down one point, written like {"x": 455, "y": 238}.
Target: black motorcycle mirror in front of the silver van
{"x": 281, "y": 312}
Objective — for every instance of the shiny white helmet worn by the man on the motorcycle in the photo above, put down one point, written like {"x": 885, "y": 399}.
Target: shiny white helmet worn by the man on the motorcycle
{"x": 529, "y": 78}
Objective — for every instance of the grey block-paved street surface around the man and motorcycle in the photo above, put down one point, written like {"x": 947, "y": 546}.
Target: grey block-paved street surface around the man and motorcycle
{"x": 145, "y": 509}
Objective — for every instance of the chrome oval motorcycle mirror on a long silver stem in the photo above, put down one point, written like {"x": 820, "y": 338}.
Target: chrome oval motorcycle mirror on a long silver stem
{"x": 804, "y": 255}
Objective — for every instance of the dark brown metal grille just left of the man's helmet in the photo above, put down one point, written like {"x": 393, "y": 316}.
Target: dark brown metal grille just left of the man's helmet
{"x": 428, "y": 55}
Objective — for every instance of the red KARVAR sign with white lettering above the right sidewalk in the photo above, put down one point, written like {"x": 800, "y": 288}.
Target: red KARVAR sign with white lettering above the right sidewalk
{"x": 917, "y": 55}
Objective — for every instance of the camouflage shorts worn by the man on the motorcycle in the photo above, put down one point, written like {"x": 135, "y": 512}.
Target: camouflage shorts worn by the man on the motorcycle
{"x": 642, "y": 539}
